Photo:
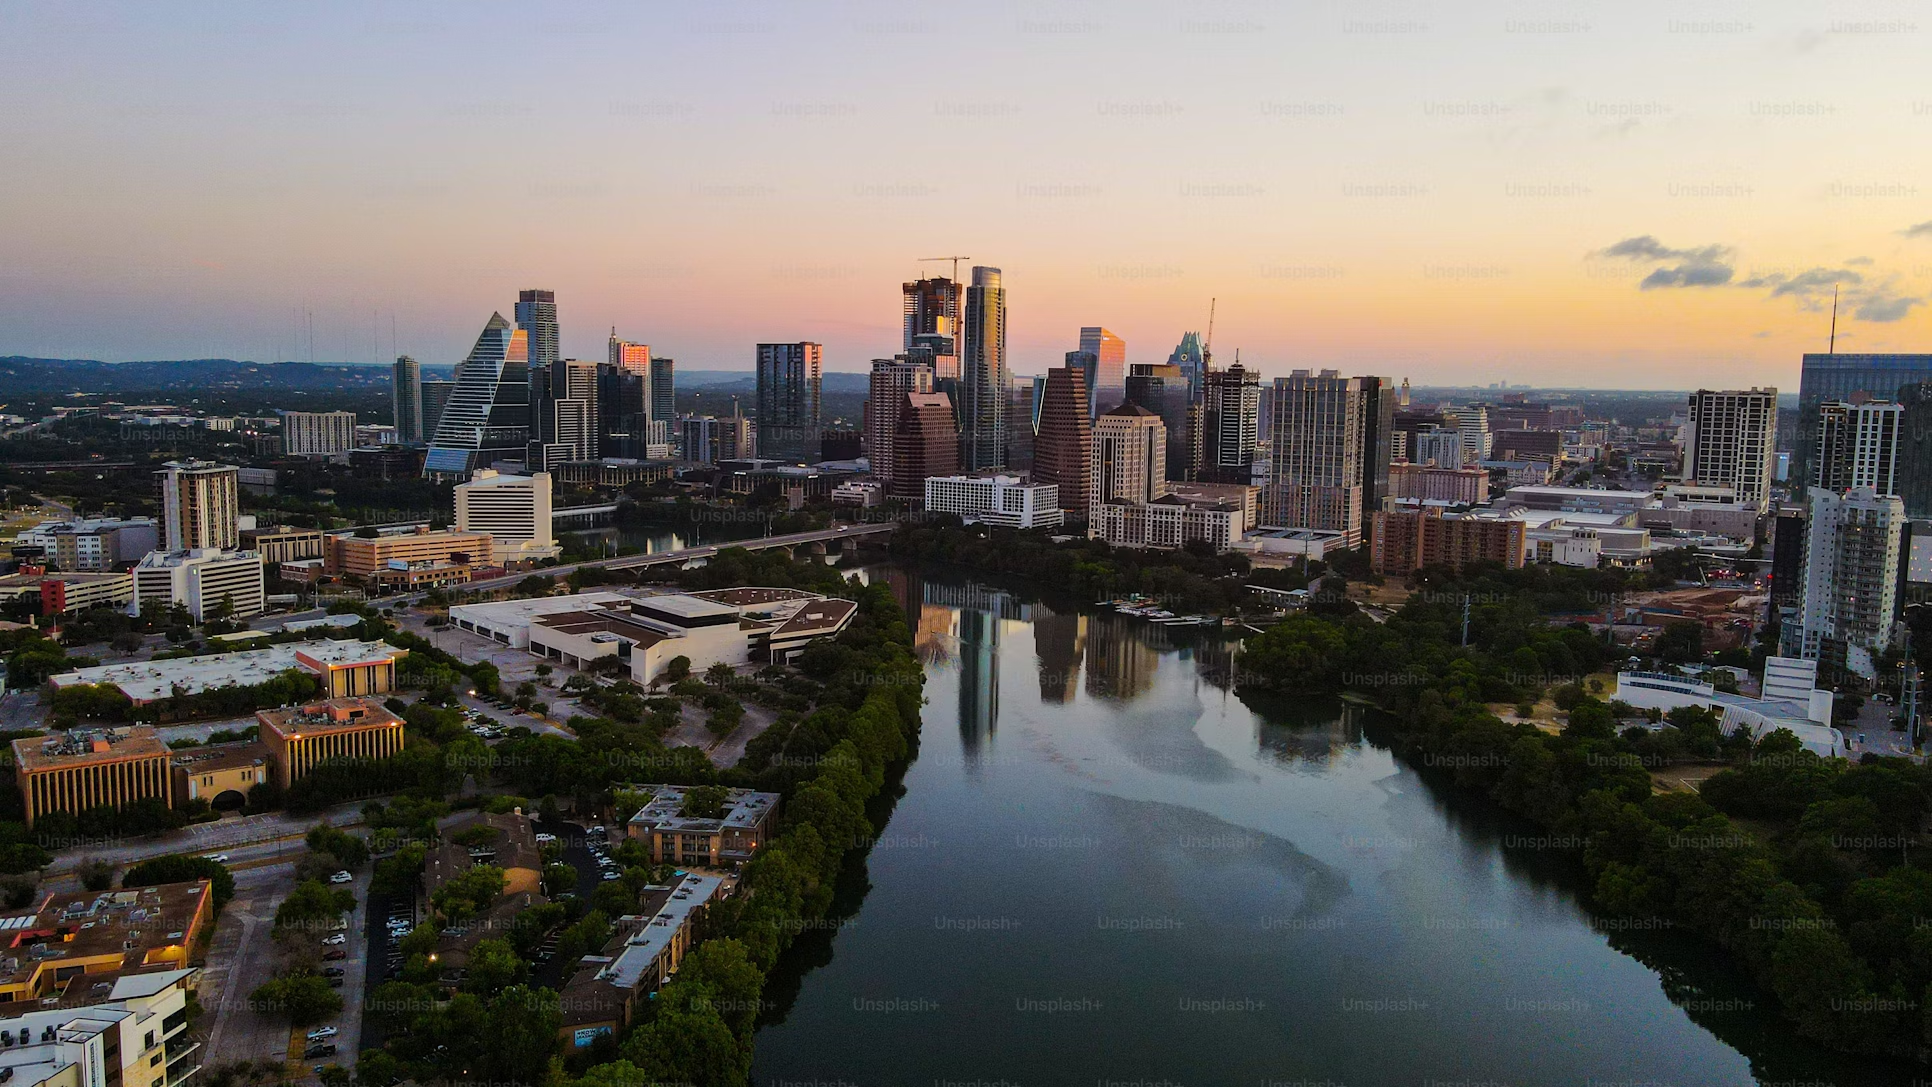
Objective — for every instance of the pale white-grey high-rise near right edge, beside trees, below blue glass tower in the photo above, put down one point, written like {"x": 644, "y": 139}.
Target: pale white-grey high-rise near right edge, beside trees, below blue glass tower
{"x": 1852, "y": 580}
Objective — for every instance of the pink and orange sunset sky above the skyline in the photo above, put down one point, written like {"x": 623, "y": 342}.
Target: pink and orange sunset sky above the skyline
{"x": 1641, "y": 196}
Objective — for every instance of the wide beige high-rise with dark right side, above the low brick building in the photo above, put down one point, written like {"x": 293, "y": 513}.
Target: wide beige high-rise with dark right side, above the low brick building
{"x": 1322, "y": 468}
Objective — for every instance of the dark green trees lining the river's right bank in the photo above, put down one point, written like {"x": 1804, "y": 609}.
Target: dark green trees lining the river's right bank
{"x": 1800, "y": 868}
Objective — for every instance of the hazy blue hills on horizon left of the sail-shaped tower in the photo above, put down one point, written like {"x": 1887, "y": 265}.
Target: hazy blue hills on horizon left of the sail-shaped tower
{"x": 22, "y": 376}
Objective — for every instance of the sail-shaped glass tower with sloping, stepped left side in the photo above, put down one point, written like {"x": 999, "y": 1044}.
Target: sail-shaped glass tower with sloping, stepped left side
{"x": 488, "y": 416}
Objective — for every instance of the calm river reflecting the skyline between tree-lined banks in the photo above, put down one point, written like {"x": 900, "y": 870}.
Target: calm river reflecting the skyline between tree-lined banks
{"x": 1110, "y": 870}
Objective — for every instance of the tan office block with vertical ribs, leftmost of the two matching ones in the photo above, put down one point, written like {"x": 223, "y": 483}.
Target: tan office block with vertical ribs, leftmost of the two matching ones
{"x": 92, "y": 767}
